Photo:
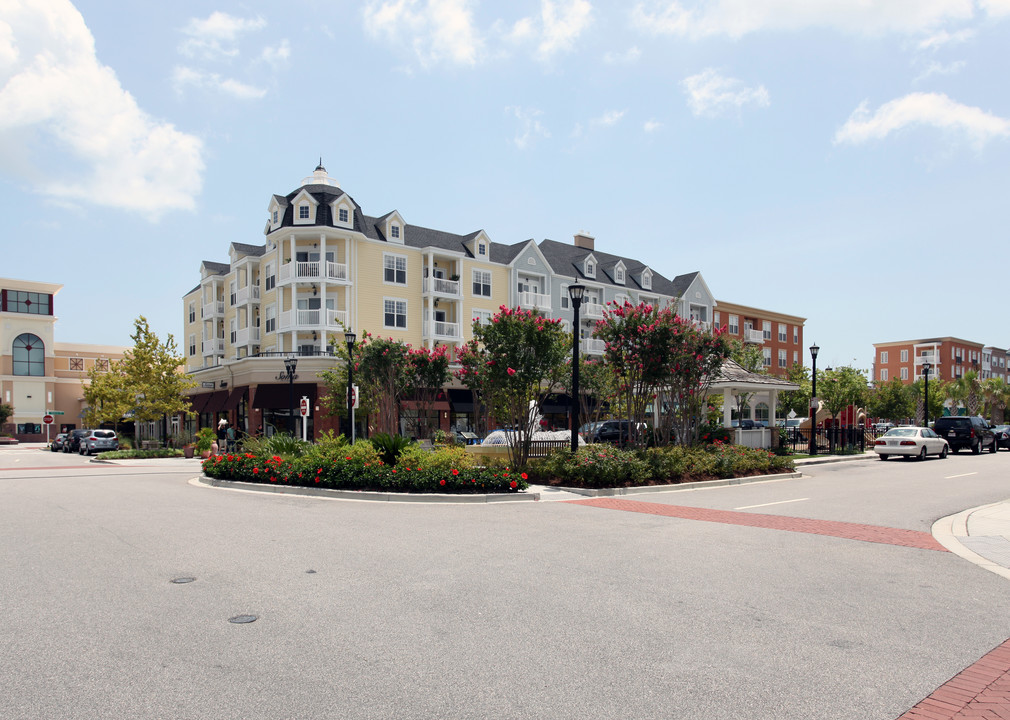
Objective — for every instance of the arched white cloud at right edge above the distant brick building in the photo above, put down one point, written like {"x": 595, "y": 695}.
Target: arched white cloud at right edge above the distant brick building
{"x": 931, "y": 110}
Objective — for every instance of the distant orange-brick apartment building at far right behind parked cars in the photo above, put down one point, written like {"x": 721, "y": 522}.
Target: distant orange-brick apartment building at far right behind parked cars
{"x": 950, "y": 359}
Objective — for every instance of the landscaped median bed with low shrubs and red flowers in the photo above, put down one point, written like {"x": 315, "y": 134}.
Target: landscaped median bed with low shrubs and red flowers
{"x": 451, "y": 470}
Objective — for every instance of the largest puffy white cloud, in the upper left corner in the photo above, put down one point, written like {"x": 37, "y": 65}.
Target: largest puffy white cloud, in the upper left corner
{"x": 54, "y": 89}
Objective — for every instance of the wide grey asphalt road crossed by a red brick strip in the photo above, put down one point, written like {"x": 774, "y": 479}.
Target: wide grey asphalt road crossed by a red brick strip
{"x": 526, "y": 610}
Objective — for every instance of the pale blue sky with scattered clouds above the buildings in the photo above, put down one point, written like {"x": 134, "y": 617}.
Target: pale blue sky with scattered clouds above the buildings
{"x": 843, "y": 161}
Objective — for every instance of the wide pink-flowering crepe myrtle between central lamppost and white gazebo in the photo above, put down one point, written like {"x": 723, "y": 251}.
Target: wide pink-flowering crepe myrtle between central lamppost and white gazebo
{"x": 657, "y": 356}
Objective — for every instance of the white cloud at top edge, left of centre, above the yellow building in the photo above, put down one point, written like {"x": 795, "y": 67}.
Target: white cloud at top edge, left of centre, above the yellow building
{"x": 438, "y": 31}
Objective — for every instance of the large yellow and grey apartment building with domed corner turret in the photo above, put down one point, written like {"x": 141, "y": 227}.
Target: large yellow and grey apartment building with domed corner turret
{"x": 327, "y": 266}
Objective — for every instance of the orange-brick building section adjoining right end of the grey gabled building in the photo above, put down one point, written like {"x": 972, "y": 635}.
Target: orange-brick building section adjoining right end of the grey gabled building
{"x": 780, "y": 337}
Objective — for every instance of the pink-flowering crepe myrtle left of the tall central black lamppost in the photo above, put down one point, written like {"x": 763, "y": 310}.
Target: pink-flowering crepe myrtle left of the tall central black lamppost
{"x": 516, "y": 360}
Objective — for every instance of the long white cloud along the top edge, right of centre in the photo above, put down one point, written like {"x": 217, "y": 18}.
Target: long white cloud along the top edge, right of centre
{"x": 737, "y": 19}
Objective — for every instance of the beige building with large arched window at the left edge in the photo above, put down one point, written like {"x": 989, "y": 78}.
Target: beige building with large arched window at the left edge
{"x": 39, "y": 375}
